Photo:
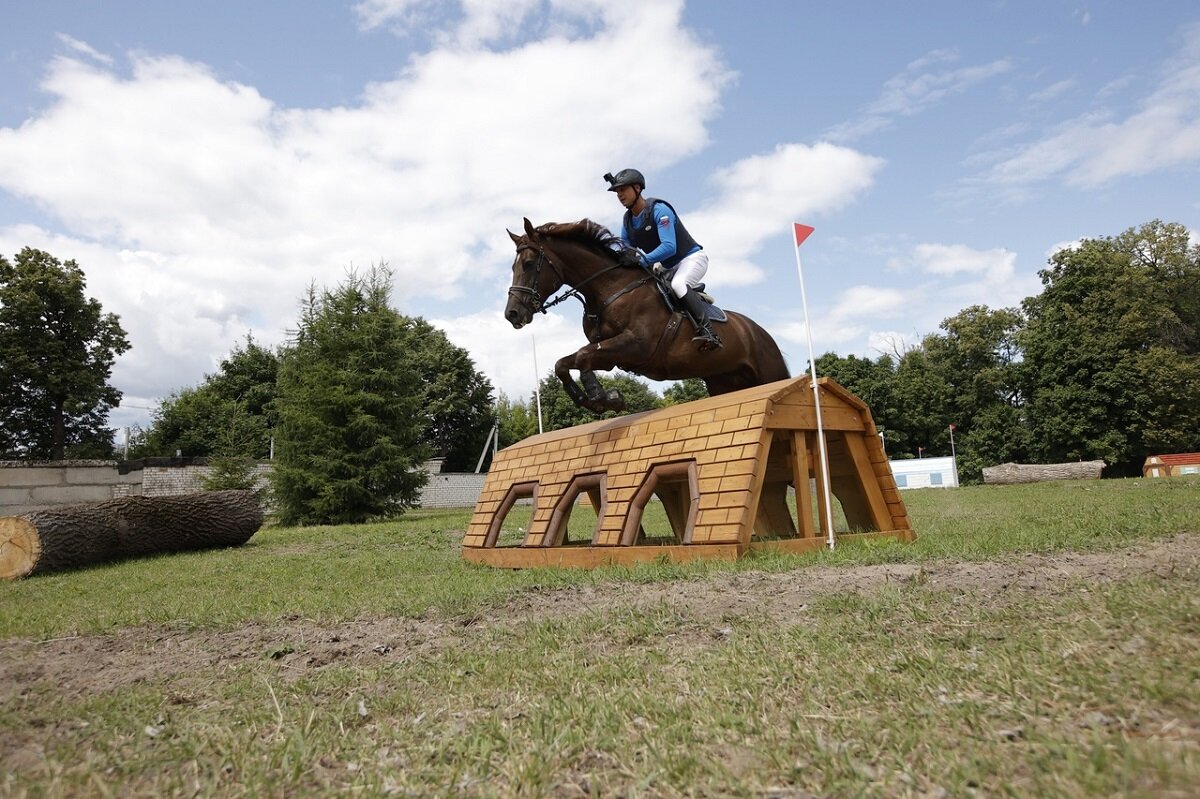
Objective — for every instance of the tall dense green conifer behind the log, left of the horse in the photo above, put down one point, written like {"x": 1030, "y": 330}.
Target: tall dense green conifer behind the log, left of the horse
{"x": 350, "y": 436}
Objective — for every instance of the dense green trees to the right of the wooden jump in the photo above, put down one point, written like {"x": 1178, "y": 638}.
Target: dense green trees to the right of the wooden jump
{"x": 1105, "y": 364}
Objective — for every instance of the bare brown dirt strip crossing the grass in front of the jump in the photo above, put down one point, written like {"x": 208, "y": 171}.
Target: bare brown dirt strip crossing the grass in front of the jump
{"x": 86, "y": 665}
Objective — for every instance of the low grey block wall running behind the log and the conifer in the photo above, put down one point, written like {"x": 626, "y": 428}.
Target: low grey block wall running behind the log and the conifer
{"x": 26, "y": 488}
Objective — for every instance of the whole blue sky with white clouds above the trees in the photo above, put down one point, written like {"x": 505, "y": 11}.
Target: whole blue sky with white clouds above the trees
{"x": 207, "y": 163}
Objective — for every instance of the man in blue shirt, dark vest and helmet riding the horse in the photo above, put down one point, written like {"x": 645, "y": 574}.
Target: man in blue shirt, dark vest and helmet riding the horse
{"x": 655, "y": 229}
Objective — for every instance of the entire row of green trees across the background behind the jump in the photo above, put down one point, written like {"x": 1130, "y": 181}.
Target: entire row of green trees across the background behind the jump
{"x": 1103, "y": 364}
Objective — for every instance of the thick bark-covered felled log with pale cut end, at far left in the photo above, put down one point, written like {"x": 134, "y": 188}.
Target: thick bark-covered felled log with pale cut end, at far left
{"x": 76, "y": 536}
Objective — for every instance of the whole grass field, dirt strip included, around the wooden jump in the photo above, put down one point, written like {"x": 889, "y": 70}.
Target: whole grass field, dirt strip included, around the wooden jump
{"x": 1034, "y": 641}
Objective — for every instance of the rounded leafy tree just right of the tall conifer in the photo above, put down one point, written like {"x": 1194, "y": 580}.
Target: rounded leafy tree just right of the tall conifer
{"x": 458, "y": 400}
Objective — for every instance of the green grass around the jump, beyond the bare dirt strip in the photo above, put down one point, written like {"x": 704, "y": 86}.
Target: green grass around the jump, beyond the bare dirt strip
{"x": 412, "y": 567}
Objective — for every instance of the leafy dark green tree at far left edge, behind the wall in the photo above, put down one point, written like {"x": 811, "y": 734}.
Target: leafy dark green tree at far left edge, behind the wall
{"x": 57, "y": 355}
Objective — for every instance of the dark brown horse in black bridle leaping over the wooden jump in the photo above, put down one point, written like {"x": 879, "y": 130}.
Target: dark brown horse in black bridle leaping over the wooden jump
{"x": 626, "y": 319}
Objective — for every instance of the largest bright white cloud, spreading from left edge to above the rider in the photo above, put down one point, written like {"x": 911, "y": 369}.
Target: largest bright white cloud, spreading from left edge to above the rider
{"x": 201, "y": 211}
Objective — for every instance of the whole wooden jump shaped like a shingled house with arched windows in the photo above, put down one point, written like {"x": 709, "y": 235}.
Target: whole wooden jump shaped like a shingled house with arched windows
{"x": 722, "y": 468}
